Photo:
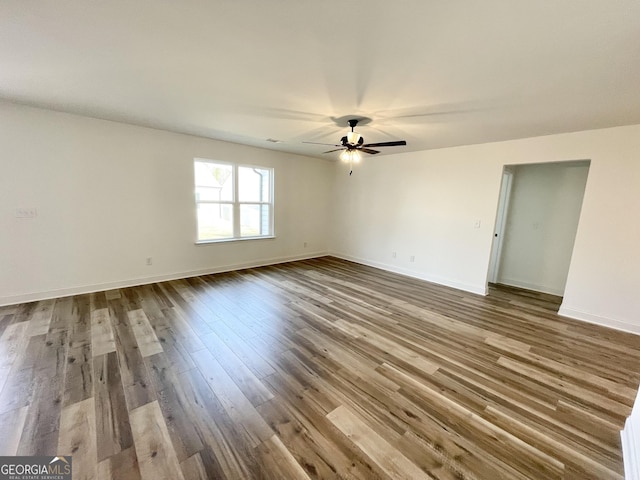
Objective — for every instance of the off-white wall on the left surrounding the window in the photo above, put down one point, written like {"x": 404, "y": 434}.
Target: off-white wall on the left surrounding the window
{"x": 108, "y": 195}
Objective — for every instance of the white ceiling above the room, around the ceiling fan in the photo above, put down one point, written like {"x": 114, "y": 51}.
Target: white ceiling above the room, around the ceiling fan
{"x": 434, "y": 73}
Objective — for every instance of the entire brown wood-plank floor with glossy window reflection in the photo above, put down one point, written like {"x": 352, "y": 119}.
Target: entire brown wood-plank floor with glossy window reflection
{"x": 314, "y": 369}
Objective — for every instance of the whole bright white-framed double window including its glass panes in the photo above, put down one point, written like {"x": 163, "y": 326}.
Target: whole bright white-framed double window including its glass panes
{"x": 233, "y": 201}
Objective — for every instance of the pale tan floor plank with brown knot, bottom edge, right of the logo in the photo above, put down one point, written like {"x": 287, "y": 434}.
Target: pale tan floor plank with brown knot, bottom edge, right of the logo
{"x": 156, "y": 456}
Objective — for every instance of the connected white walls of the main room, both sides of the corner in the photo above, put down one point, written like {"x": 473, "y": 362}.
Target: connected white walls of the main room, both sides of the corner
{"x": 109, "y": 195}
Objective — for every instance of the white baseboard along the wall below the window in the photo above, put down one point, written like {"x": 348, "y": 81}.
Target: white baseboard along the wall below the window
{"x": 98, "y": 287}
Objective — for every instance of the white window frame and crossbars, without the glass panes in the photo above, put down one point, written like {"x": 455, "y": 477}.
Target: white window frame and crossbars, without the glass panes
{"x": 235, "y": 202}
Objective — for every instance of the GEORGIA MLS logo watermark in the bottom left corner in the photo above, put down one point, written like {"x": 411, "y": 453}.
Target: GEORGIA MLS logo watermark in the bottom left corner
{"x": 35, "y": 468}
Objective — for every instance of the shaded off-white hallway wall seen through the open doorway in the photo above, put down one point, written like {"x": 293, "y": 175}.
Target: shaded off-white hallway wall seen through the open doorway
{"x": 541, "y": 225}
